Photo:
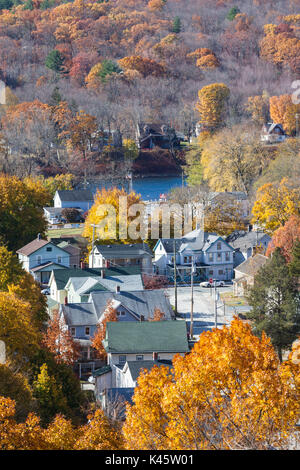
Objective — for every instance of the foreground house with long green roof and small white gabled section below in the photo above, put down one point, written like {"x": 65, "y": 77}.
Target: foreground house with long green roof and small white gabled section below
{"x": 132, "y": 347}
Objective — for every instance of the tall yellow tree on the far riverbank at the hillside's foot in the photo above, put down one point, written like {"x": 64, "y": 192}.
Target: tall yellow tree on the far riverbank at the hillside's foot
{"x": 211, "y": 105}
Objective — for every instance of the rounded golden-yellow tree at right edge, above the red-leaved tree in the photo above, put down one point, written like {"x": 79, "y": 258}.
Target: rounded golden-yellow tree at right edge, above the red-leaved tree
{"x": 275, "y": 204}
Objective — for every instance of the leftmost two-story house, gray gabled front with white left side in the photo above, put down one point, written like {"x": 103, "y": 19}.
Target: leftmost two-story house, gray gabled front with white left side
{"x": 41, "y": 257}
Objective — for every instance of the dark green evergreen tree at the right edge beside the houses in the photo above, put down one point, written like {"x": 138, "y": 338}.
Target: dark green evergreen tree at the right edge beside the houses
{"x": 274, "y": 301}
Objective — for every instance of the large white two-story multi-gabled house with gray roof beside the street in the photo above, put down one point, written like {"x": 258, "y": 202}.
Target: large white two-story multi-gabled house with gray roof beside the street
{"x": 211, "y": 255}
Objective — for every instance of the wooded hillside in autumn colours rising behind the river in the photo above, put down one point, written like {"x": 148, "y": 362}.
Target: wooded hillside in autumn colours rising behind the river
{"x": 75, "y": 69}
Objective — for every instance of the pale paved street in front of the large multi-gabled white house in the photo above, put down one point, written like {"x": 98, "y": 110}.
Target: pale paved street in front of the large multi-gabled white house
{"x": 204, "y": 308}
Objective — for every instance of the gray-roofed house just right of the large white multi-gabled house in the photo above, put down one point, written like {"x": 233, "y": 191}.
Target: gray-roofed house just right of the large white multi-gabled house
{"x": 246, "y": 243}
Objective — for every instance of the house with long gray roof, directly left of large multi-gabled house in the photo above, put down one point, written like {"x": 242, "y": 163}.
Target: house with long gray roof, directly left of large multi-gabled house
{"x": 136, "y": 254}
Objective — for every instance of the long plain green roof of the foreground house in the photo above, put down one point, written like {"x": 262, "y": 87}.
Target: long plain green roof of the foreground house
{"x": 143, "y": 337}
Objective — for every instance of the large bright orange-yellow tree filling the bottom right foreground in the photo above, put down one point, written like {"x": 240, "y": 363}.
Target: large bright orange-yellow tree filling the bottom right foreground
{"x": 230, "y": 392}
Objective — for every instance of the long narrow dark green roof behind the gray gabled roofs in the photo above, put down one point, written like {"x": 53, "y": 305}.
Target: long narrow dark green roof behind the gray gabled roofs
{"x": 62, "y": 276}
